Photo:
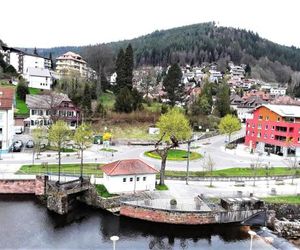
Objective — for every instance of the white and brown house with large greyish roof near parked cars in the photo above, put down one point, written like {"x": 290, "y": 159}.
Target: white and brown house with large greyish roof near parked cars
{"x": 44, "y": 109}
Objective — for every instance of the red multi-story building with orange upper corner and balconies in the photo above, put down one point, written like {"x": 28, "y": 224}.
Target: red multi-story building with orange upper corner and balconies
{"x": 274, "y": 129}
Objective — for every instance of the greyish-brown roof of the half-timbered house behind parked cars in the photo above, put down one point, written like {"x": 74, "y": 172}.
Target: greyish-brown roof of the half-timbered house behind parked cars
{"x": 46, "y": 101}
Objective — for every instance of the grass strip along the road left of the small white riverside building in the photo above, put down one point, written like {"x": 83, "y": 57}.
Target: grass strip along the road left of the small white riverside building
{"x": 88, "y": 169}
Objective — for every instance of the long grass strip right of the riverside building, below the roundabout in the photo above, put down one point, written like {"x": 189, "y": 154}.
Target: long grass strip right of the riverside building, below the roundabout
{"x": 278, "y": 171}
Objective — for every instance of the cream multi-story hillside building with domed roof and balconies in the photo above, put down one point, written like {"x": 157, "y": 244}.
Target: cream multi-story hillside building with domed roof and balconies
{"x": 71, "y": 62}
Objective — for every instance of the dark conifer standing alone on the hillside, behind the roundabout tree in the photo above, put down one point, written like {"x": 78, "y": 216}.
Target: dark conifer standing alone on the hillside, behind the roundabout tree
{"x": 172, "y": 84}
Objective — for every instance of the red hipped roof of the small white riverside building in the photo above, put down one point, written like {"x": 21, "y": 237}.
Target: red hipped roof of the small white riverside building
{"x": 128, "y": 167}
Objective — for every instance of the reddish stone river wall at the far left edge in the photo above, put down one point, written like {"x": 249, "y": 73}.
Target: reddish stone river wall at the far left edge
{"x": 35, "y": 186}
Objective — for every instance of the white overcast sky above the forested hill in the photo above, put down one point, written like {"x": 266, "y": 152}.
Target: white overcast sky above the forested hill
{"x": 49, "y": 23}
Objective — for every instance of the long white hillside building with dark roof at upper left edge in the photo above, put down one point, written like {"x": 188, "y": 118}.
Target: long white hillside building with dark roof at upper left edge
{"x": 21, "y": 60}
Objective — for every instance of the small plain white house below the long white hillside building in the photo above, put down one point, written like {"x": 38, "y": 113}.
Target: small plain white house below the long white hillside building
{"x": 38, "y": 78}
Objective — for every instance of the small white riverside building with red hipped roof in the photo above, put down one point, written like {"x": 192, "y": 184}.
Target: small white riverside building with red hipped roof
{"x": 131, "y": 175}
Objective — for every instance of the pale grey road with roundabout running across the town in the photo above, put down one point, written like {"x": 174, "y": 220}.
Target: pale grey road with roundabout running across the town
{"x": 213, "y": 146}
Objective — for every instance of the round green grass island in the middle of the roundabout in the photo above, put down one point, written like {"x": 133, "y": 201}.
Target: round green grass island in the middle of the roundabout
{"x": 175, "y": 155}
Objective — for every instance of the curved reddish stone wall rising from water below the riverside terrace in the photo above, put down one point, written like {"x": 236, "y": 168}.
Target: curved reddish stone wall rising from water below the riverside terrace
{"x": 163, "y": 216}
